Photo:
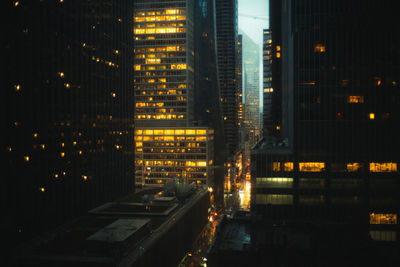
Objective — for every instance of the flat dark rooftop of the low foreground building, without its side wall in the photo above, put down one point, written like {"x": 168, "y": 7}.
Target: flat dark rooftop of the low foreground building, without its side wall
{"x": 106, "y": 234}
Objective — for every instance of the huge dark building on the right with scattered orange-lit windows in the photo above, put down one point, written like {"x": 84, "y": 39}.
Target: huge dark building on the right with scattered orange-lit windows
{"x": 336, "y": 67}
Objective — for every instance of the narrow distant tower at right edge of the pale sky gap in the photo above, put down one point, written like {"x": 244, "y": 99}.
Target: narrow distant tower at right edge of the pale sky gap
{"x": 268, "y": 91}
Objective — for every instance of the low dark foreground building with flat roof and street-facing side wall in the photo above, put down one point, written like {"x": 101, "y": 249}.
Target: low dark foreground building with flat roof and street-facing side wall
{"x": 131, "y": 231}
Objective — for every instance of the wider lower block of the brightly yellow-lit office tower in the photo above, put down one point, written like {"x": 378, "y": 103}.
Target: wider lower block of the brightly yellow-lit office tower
{"x": 171, "y": 153}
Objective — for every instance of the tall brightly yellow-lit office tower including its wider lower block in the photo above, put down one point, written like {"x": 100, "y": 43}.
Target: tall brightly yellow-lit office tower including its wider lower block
{"x": 170, "y": 146}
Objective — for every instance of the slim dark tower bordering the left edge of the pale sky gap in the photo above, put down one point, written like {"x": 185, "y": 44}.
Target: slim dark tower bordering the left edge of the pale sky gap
{"x": 226, "y": 15}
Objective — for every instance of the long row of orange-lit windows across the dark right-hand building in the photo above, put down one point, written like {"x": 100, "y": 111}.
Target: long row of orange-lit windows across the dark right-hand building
{"x": 320, "y": 166}
